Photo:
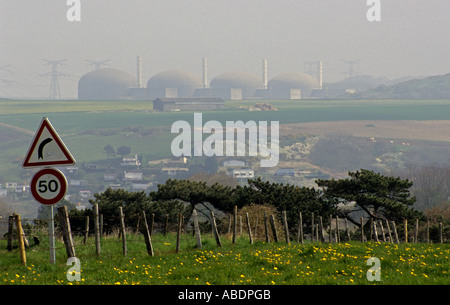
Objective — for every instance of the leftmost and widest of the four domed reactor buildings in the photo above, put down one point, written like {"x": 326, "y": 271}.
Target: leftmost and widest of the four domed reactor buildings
{"x": 105, "y": 84}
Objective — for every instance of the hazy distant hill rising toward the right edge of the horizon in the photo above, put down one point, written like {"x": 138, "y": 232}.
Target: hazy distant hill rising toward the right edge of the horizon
{"x": 433, "y": 87}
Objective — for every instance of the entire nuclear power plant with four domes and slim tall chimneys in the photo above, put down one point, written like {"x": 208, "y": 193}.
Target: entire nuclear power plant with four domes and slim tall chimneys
{"x": 114, "y": 84}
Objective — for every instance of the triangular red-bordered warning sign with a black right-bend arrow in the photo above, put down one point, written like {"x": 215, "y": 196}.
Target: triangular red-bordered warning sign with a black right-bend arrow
{"x": 47, "y": 148}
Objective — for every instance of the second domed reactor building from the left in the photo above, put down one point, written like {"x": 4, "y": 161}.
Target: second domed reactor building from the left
{"x": 173, "y": 84}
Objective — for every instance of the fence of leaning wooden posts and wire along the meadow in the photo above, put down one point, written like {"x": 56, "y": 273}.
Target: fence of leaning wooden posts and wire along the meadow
{"x": 109, "y": 236}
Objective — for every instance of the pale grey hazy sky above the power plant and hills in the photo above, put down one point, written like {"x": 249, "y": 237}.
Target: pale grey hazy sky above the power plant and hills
{"x": 412, "y": 38}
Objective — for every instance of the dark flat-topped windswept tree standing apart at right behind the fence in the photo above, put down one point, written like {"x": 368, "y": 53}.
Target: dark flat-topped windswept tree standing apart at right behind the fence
{"x": 381, "y": 197}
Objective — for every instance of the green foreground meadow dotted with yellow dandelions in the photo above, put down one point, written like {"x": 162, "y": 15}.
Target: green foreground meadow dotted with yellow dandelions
{"x": 232, "y": 264}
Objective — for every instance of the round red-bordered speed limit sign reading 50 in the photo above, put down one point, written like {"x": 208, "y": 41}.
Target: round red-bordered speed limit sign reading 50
{"x": 48, "y": 186}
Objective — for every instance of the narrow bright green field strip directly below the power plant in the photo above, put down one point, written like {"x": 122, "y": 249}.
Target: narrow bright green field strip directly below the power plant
{"x": 82, "y": 115}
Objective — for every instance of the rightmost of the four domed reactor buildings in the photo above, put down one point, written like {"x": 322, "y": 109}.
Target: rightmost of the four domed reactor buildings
{"x": 292, "y": 85}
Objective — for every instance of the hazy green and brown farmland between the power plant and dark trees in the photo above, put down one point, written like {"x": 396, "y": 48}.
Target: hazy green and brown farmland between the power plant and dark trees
{"x": 343, "y": 127}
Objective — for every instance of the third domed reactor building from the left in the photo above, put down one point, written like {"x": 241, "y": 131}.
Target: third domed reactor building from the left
{"x": 235, "y": 86}
